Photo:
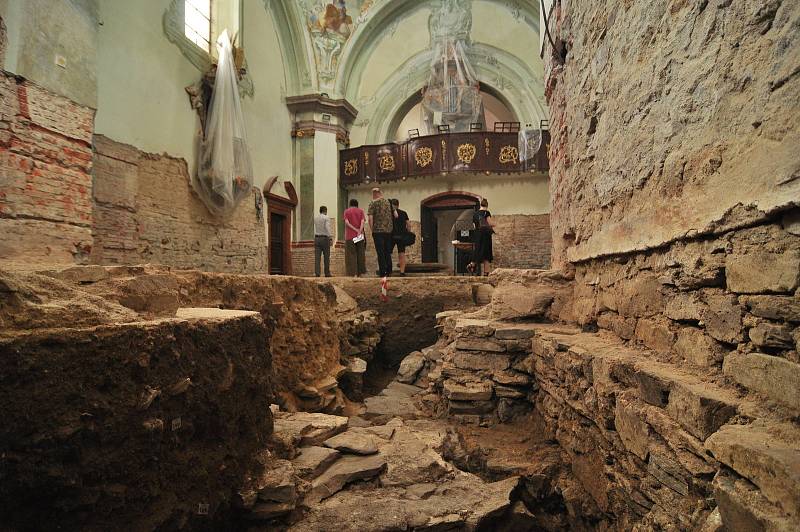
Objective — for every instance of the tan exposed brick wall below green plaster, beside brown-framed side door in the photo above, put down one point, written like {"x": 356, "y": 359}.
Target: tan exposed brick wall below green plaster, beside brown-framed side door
{"x": 146, "y": 211}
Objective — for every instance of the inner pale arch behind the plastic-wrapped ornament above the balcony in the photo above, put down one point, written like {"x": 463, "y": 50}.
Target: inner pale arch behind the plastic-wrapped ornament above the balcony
{"x": 505, "y": 76}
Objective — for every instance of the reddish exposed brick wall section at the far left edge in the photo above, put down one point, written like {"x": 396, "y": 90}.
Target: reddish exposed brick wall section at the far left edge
{"x": 45, "y": 176}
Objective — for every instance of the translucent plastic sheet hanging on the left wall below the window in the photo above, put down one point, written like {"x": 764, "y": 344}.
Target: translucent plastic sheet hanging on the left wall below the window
{"x": 224, "y": 172}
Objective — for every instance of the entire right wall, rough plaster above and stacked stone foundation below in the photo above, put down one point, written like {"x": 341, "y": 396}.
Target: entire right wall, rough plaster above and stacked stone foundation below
{"x": 675, "y": 191}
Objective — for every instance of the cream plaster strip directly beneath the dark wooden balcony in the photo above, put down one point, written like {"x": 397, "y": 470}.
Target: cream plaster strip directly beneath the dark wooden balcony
{"x": 506, "y": 195}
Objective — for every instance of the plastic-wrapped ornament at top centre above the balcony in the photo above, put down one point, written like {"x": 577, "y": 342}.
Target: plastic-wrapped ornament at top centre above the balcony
{"x": 452, "y": 94}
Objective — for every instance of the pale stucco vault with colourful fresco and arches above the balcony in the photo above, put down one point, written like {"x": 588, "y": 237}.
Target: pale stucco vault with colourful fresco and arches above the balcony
{"x": 327, "y": 46}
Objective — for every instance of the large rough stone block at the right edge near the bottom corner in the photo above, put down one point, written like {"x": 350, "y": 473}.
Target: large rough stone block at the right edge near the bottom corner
{"x": 764, "y": 459}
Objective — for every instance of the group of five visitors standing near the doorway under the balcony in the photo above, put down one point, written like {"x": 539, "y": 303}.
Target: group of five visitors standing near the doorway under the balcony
{"x": 390, "y": 231}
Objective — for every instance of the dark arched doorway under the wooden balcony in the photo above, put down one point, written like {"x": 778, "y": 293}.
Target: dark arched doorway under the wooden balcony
{"x": 438, "y": 216}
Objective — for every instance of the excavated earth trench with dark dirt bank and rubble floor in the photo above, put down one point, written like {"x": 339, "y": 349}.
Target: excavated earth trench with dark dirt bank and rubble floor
{"x": 128, "y": 428}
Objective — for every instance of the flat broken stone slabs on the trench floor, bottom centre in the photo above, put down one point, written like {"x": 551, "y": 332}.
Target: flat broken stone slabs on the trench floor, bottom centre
{"x": 326, "y": 475}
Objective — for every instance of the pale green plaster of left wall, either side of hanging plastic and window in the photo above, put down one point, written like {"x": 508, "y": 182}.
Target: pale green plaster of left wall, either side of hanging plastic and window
{"x": 142, "y": 101}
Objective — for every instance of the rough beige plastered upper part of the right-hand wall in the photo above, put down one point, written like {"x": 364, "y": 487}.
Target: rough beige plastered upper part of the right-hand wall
{"x": 670, "y": 119}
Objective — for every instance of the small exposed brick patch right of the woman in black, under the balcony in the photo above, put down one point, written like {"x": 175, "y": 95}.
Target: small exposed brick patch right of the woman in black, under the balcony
{"x": 522, "y": 241}
